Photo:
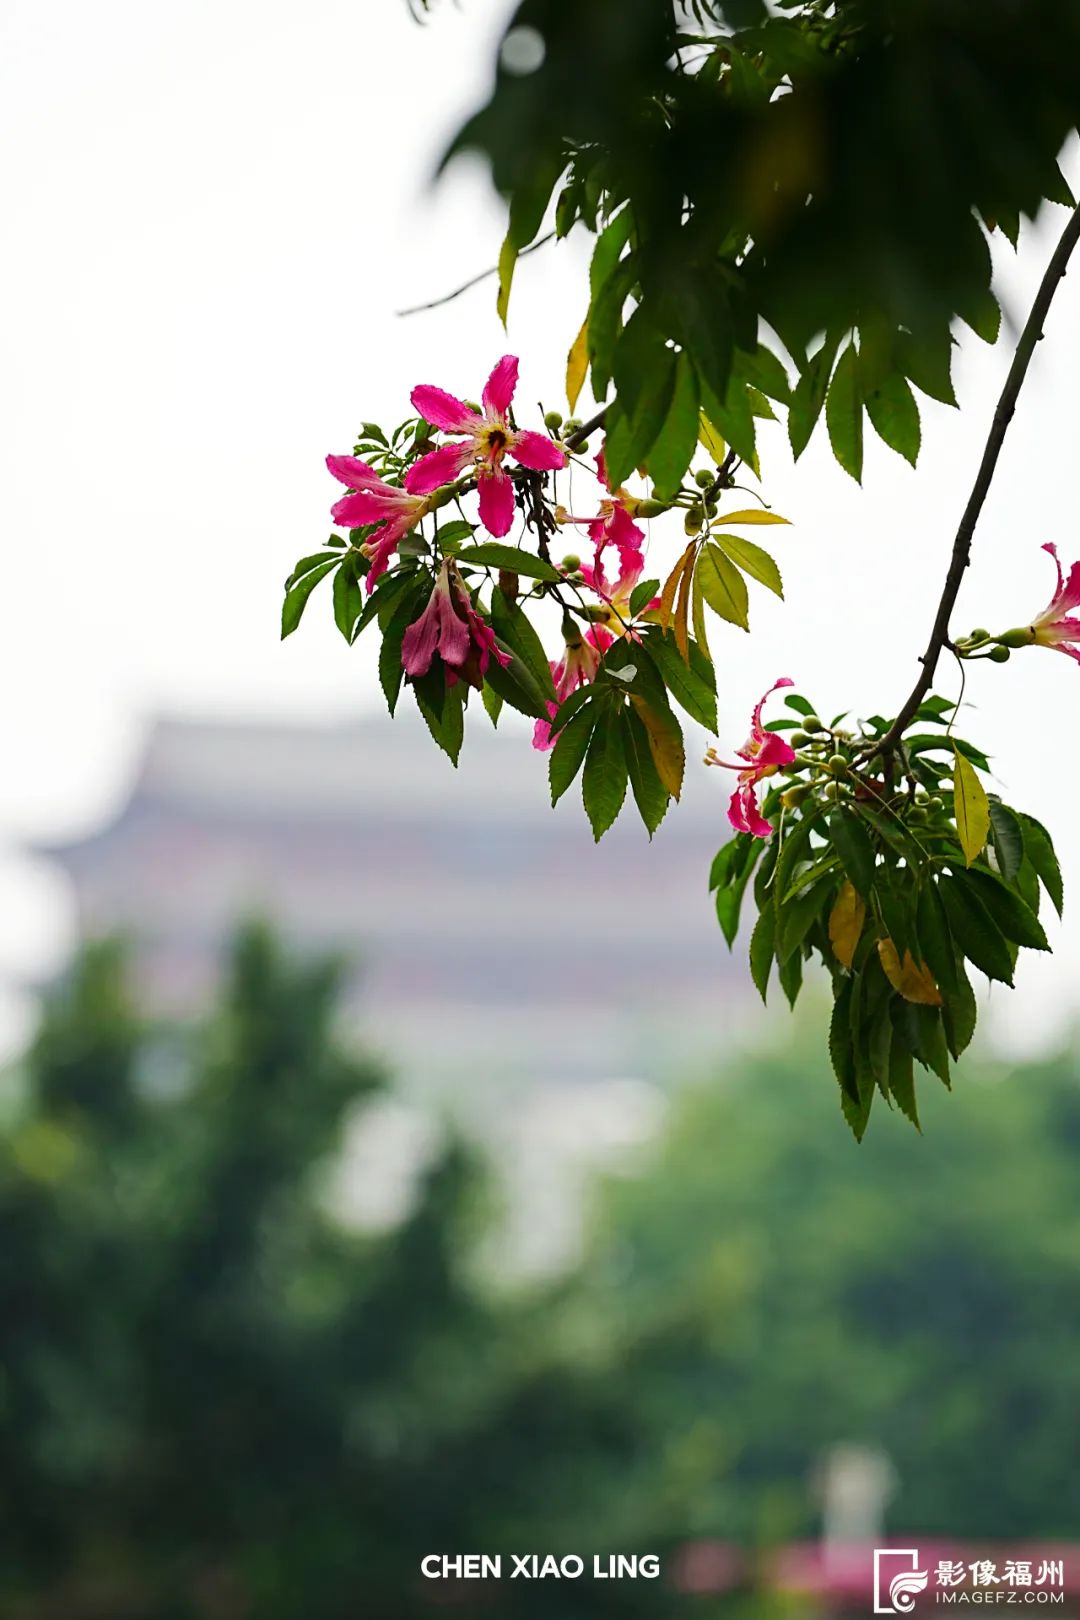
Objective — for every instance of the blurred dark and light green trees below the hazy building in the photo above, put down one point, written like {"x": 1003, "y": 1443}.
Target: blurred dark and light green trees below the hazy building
{"x": 216, "y": 1402}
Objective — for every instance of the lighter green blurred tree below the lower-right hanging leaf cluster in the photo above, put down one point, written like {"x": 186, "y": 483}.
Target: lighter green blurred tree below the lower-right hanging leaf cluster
{"x": 770, "y": 1294}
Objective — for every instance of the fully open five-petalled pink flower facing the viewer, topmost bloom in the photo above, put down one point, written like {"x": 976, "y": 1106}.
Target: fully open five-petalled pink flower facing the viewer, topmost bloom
{"x": 488, "y": 438}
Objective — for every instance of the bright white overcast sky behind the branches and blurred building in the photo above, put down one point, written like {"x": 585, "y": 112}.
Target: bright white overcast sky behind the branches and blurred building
{"x": 213, "y": 211}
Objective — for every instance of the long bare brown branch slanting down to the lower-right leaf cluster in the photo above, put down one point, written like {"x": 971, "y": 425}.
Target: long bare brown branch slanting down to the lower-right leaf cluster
{"x": 989, "y": 466}
